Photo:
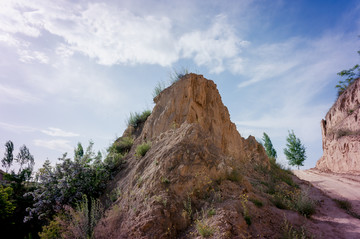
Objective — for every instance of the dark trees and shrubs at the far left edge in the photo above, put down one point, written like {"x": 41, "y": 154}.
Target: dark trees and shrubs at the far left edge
{"x": 14, "y": 193}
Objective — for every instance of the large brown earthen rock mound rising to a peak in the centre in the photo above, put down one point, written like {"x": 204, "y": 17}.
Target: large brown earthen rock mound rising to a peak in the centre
{"x": 196, "y": 158}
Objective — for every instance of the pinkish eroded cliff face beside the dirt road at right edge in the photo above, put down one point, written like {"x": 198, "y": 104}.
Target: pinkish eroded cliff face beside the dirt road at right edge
{"x": 341, "y": 134}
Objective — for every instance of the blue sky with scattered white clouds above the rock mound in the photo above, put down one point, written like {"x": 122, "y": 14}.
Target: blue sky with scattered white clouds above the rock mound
{"x": 73, "y": 71}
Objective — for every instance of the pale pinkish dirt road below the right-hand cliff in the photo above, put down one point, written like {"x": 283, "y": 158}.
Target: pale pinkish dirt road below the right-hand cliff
{"x": 330, "y": 221}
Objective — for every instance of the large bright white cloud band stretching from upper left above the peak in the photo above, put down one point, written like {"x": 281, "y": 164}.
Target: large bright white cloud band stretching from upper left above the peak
{"x": 113, "y": 35}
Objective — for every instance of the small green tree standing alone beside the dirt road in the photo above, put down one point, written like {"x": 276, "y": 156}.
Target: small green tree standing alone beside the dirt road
{"x": 295, "y": 151}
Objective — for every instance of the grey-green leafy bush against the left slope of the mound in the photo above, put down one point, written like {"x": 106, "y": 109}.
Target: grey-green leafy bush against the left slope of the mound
{"x": 68, "y": 181}
